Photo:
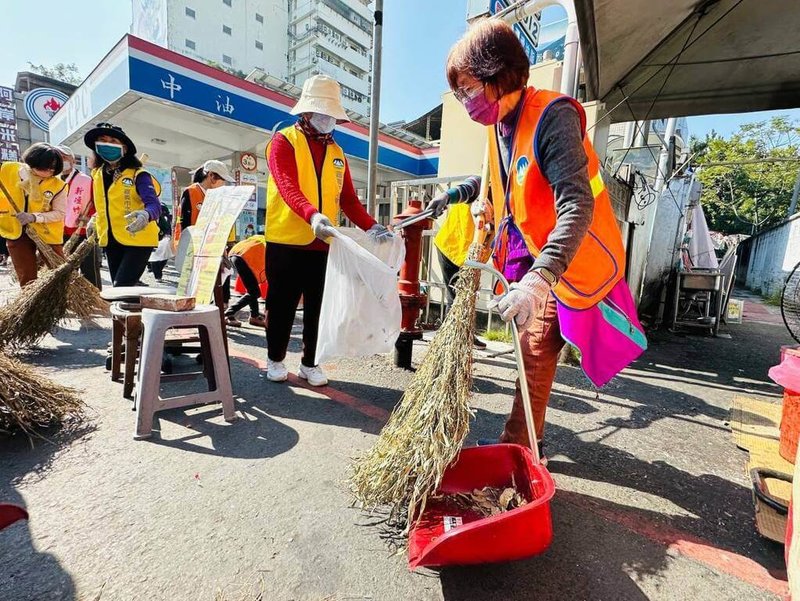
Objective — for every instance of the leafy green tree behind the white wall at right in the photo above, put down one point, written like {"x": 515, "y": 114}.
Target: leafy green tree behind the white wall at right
{"x": 751, "y": 191}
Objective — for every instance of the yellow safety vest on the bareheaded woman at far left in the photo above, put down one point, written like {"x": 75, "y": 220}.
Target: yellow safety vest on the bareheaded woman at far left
{"x": 10, "y": 227}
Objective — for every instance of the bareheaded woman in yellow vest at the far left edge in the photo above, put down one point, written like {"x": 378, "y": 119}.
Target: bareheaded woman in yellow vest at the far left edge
{"x": 32, "y": 196}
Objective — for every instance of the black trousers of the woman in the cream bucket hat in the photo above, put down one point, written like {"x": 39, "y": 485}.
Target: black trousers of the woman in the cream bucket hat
{"x": 293, "y": 272}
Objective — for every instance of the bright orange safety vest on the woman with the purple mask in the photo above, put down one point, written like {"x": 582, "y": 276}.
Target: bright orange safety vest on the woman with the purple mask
{"x": 600, "y": 260}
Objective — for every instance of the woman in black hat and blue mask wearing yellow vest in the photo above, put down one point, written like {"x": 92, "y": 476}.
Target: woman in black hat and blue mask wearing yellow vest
{"x": 126, "y": 200}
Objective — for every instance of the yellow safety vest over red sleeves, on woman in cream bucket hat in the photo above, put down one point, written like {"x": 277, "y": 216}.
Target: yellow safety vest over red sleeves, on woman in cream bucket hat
{"x": 284, "y": 226}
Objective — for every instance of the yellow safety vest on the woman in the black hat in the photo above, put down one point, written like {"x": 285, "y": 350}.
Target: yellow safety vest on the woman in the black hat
{"x": 122, "y": 199}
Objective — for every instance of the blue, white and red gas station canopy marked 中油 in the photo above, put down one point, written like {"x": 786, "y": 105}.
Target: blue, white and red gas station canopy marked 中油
{"x": 182, "y": 112}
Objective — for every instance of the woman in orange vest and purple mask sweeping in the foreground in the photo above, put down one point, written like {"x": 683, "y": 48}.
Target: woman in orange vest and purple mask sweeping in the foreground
{"x": 556, "y": 236}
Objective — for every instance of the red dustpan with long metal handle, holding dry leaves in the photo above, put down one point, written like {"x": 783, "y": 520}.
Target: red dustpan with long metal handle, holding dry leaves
{"x": 445, "y": 535}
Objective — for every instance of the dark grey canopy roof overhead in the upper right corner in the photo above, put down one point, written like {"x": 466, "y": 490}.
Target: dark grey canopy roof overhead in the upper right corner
{"x": 710, "y": 56}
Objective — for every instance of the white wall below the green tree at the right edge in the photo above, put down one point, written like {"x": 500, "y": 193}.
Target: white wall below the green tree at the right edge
{"x": 772, "y": 256}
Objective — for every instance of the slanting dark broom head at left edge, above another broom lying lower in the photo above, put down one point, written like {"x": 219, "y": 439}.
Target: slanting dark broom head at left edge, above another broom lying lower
{"x": 39, "y": 306}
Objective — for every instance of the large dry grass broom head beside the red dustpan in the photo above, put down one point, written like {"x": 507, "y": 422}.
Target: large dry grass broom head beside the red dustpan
{"x": 426, "y": 430}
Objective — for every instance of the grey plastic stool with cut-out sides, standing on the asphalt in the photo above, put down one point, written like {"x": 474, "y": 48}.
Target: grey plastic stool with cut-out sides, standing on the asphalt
{"x": 155, "y": 324}
